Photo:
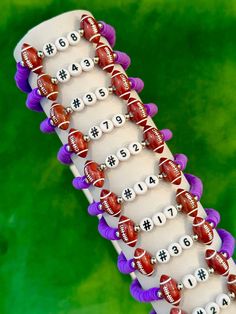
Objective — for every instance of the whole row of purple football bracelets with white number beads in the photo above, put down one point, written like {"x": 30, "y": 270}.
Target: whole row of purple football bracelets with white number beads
{"x": 78, "y": 144}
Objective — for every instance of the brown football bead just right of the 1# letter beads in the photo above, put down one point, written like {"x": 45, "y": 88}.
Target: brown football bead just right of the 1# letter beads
{"x": 217, "y": 261}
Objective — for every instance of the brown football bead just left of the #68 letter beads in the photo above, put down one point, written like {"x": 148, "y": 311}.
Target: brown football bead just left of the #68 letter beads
{"x": 30, "y": 58}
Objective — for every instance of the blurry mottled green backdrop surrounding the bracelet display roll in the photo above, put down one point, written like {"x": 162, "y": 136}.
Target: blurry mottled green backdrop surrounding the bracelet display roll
{"x": 52, "y": 259}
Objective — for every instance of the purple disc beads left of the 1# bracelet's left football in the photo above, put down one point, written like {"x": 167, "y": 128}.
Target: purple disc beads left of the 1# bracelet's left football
{"x": 141, "y": 295}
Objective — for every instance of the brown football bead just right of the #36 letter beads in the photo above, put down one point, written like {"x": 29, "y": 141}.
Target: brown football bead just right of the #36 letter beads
{"x": 203, "y": 230}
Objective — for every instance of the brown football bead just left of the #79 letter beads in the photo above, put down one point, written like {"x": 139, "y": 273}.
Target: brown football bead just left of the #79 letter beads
{"x": 77, "y": 143}
